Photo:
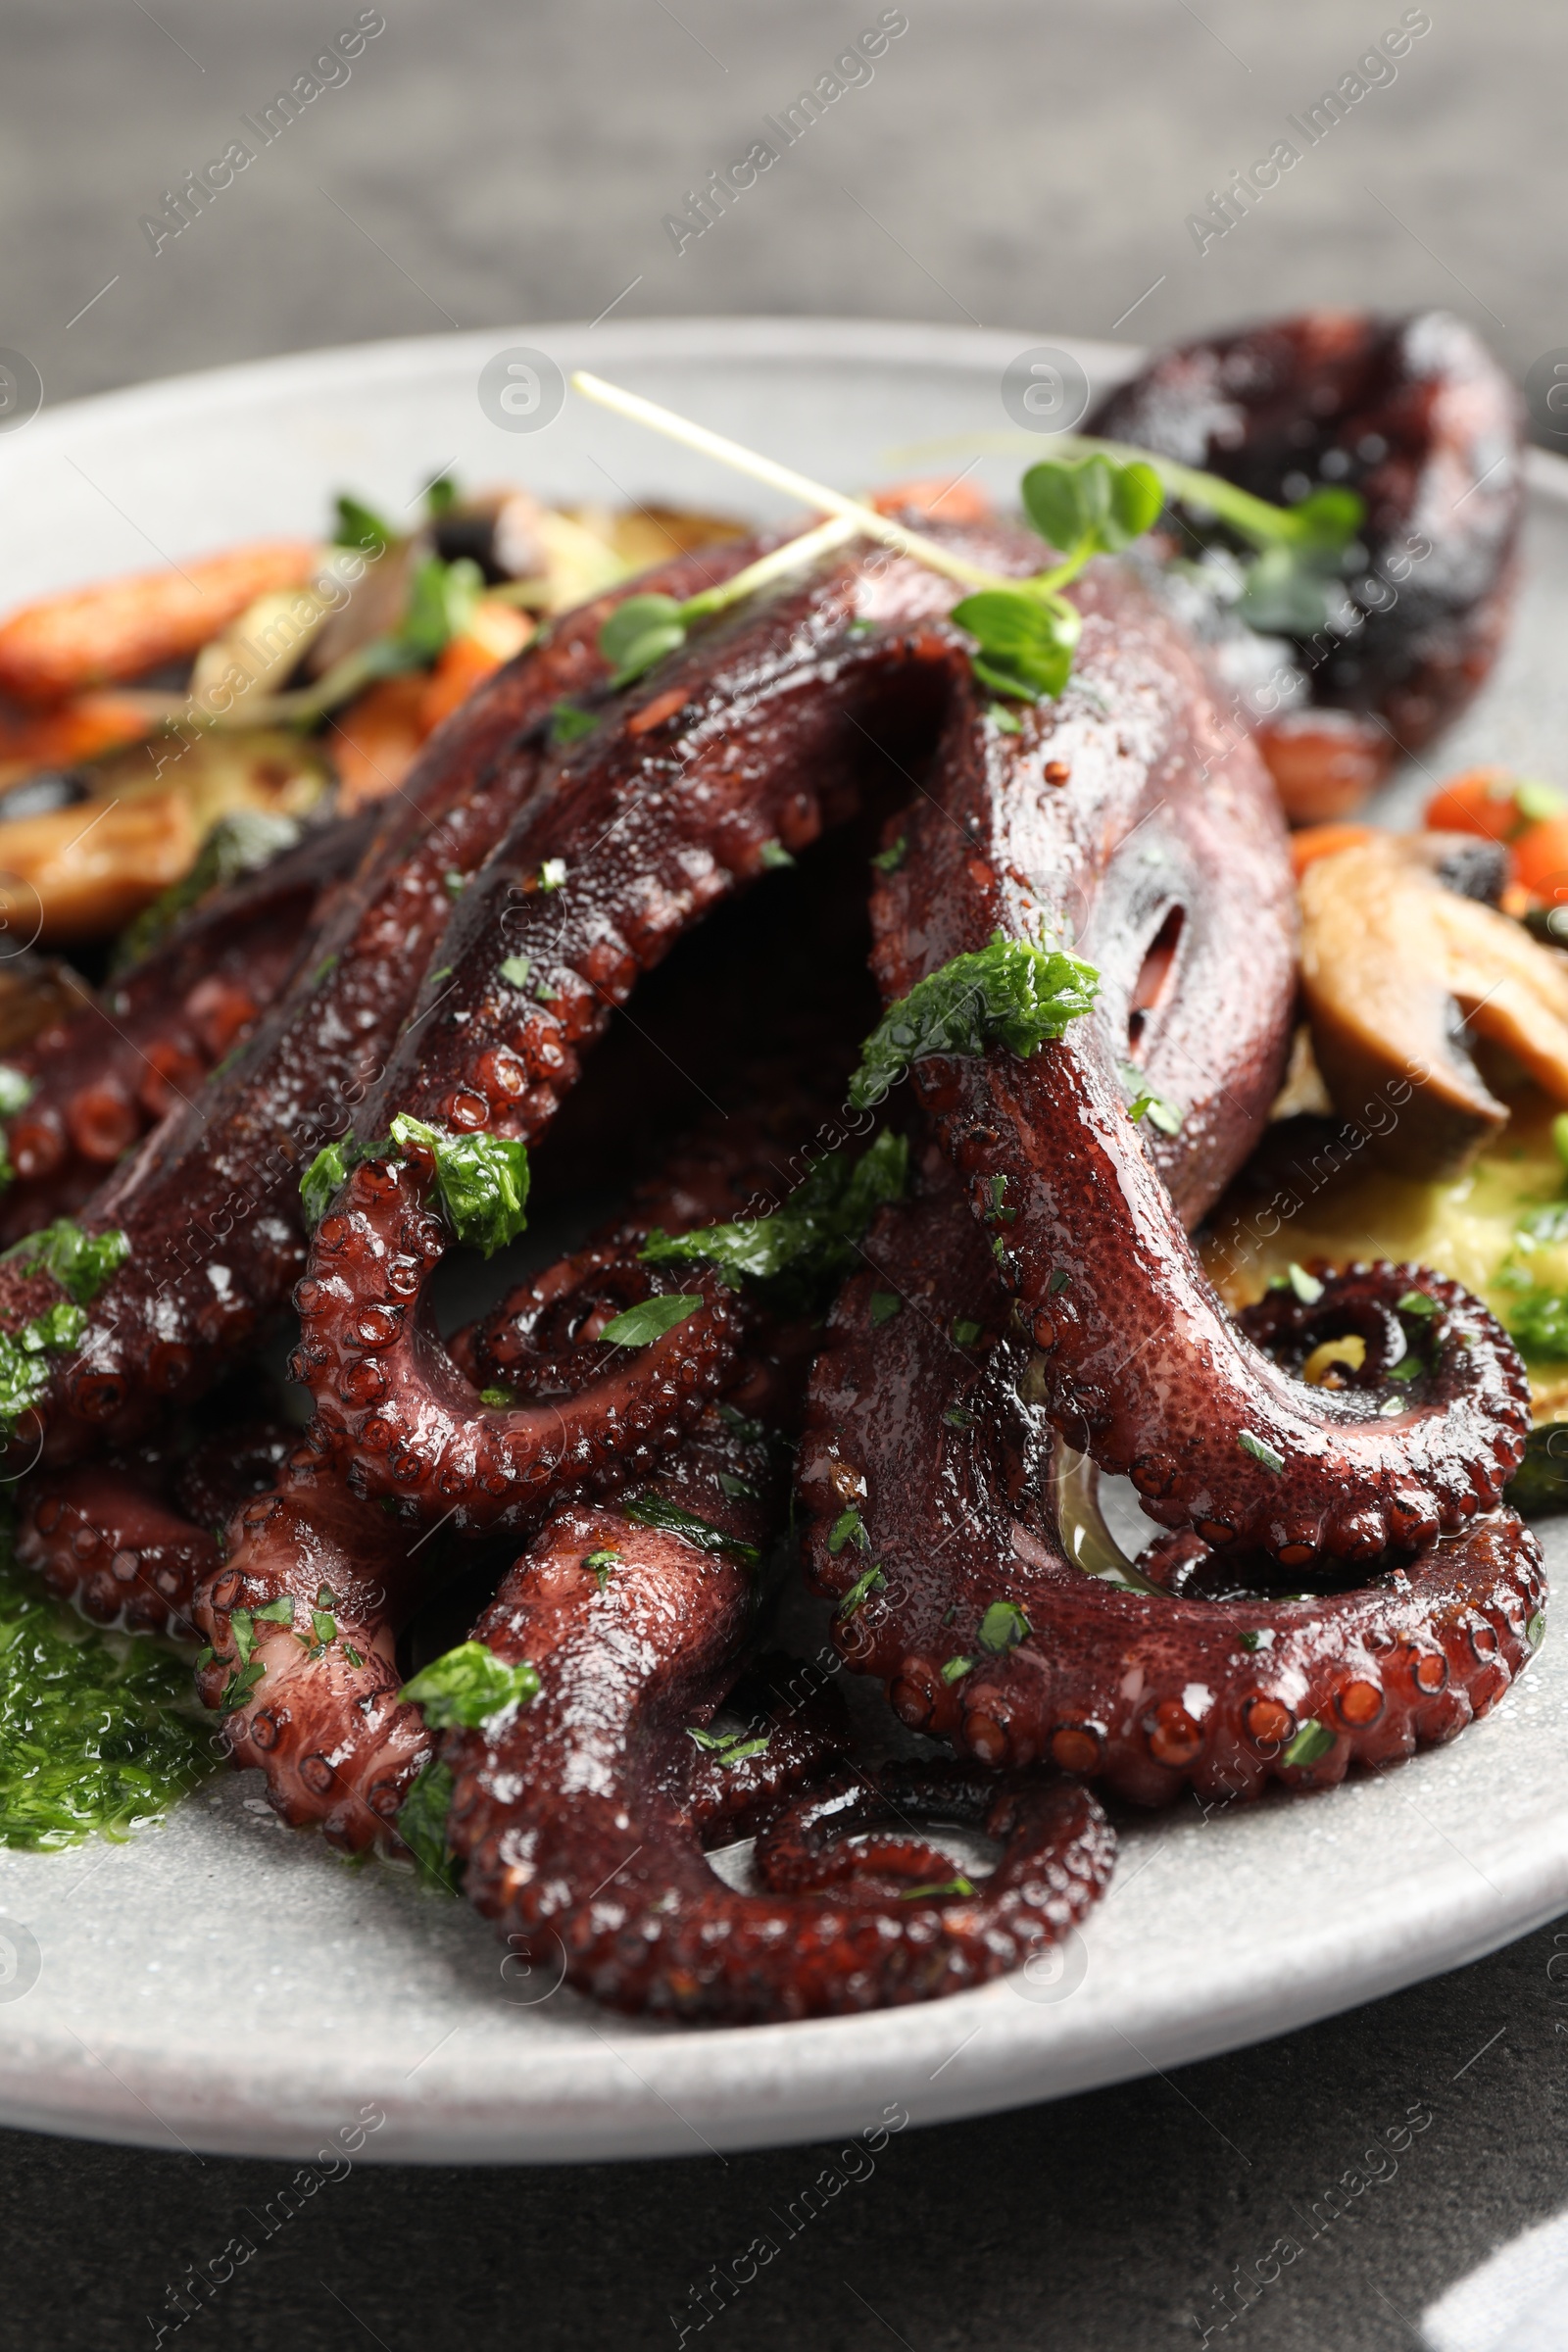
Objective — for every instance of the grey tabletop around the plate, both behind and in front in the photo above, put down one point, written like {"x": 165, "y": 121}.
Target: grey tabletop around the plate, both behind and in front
{"x": 1019, "y": 166}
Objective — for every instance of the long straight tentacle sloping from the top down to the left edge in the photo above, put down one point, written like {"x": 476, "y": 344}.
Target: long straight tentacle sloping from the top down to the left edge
{"x": 210, "y": 1201}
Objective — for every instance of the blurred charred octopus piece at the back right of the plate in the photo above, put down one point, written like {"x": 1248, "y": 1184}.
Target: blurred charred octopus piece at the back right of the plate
{"x": 1416, "y": 417}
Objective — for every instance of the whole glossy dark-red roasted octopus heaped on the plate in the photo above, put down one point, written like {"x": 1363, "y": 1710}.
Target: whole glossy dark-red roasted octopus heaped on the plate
{"x": 1334, "y": 1577}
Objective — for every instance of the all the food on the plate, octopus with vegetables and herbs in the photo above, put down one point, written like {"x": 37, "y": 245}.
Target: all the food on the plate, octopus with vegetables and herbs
{"x": 998, "y": 1085}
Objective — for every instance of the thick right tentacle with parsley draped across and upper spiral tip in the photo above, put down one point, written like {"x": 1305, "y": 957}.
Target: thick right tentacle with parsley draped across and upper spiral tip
{"x": 1137, "y": 1361}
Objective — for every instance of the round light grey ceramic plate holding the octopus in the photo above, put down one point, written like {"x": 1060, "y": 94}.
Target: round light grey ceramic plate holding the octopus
{"x": 229, "y": 1986}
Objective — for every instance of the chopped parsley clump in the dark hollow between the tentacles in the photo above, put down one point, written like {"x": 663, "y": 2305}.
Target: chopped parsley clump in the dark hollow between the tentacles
{"x": 812, "y": 1236}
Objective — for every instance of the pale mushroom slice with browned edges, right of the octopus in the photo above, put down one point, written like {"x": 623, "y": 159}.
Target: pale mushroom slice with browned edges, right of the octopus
{"x": 1400, "y": 973}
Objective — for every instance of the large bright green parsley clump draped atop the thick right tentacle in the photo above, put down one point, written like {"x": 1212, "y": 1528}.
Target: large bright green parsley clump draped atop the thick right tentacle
{"x": 1010, "y": 994}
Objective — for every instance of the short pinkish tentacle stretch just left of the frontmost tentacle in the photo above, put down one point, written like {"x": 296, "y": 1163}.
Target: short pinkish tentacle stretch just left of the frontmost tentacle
{"x": 311, "y": 1695}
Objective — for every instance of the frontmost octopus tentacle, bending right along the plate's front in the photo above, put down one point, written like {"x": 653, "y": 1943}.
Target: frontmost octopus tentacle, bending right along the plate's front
{"x": 575, "y": 1817}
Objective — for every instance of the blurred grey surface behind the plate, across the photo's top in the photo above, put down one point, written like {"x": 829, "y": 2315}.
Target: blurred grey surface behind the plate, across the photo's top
{"x": 1012, "y": 161}
